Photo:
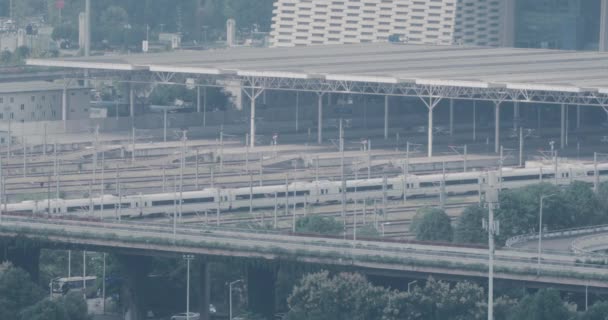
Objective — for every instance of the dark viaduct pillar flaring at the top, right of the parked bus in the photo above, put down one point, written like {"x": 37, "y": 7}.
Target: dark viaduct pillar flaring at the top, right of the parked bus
{"x": 135, "y": 270}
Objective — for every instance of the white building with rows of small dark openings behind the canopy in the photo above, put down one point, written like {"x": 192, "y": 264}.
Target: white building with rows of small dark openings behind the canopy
{"x": 308, "y": 22}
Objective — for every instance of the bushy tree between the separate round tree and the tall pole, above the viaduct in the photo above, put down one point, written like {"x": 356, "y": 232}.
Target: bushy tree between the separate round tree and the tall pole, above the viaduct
{"x": 469, "y": 227}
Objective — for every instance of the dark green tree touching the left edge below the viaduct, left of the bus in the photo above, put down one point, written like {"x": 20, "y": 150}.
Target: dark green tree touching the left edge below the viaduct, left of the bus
{"x": 17, "y": 291}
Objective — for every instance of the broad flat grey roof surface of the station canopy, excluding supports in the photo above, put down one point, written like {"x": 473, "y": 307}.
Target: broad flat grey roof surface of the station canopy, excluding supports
{"x": 459, "y": 66}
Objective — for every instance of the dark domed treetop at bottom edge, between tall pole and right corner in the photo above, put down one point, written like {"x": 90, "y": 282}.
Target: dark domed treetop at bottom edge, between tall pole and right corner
{"x": 546, "y": 304}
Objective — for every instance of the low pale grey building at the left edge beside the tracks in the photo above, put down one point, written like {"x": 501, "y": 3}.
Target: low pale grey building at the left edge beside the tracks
{"x": 42, "y": 101}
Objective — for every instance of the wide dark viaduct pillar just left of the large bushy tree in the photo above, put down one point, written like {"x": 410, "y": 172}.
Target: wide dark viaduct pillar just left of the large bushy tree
{"x": 261, "y": 290}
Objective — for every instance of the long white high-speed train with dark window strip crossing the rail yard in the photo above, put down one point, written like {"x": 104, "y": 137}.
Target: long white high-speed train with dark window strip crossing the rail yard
{"x": 315, "y": 192}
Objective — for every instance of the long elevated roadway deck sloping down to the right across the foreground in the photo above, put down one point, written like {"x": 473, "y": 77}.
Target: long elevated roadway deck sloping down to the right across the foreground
{"x": 393, "y": 258}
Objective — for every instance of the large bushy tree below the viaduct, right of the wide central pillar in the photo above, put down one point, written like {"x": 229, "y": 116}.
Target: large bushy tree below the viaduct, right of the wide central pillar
{"x": 319, "y": 296}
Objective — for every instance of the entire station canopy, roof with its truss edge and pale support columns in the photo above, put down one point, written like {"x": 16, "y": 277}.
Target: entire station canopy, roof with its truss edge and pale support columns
{"x": 429, "y": 72}
